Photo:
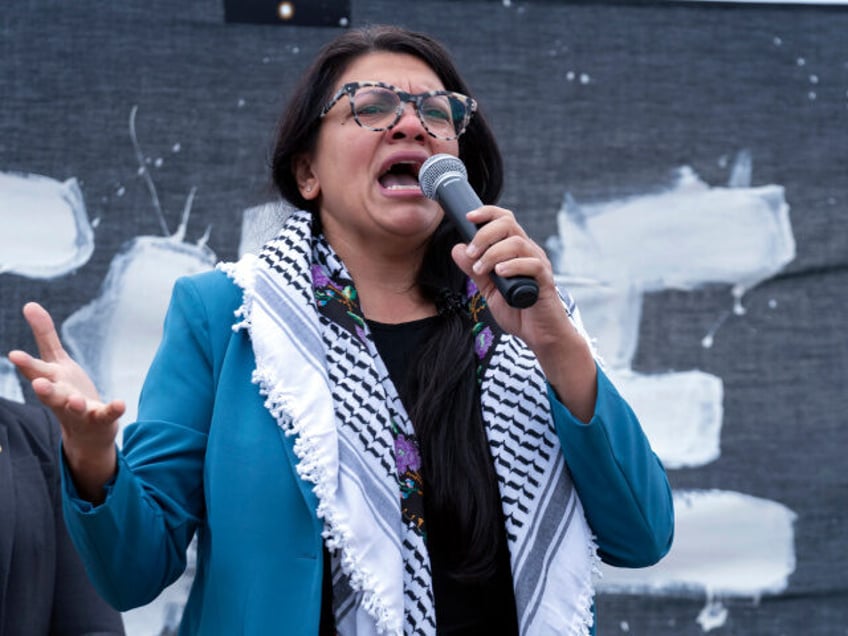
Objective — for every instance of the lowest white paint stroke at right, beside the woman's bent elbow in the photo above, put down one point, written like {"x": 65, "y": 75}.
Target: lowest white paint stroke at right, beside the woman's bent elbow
{"x": 726, "y": 544}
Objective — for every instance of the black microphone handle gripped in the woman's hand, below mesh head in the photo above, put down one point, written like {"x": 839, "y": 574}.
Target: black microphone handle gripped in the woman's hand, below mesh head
{"x": 457, "y": 198}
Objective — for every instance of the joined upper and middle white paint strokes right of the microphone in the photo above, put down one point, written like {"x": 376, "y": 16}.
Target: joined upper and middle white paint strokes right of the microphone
{"x": 609, "y": 255}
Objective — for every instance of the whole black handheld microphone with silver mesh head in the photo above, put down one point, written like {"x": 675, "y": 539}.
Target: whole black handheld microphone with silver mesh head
{"x": 444, "y": 179}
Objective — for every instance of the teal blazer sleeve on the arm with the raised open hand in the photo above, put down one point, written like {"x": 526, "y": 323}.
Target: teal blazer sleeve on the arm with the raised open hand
{"x": 134, "y": 543}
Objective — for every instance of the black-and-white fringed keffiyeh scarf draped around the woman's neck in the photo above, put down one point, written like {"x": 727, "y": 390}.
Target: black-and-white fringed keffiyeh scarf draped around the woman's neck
{"x": 326, "y": 385}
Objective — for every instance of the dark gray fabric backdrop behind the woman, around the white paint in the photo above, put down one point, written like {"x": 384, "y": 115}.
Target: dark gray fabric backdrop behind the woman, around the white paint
{"x": 666, "y": 85}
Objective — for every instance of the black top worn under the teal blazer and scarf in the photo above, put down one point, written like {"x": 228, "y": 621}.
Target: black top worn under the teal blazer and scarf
{"x": 486, "y": 607}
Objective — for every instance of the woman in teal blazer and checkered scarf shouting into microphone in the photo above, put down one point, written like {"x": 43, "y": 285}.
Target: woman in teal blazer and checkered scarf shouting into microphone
{"x": 380, "y": 444}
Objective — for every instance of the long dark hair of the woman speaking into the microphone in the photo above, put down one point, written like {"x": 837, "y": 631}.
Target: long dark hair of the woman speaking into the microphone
{"x": 461, "y": 503}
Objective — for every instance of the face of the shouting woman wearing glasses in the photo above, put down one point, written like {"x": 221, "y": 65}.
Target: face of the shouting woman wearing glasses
{"x": 365, "y": 181}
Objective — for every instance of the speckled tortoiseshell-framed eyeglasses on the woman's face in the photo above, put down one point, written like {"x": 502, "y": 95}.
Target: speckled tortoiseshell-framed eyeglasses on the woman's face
{"x": 378, "y": 106}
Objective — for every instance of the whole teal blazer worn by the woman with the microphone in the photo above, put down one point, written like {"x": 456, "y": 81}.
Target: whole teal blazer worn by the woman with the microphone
{"x": 206, "y": 457}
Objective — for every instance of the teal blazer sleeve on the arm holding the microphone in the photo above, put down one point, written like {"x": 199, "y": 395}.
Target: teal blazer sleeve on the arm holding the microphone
{"x": 622, "y": 484}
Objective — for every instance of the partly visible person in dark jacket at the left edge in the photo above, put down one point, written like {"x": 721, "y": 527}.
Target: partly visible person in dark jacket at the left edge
{"x": 44, "y": 590}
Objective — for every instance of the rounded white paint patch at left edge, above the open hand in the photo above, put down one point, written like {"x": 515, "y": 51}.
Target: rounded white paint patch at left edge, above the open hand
{"x": 29, "y": 205}
